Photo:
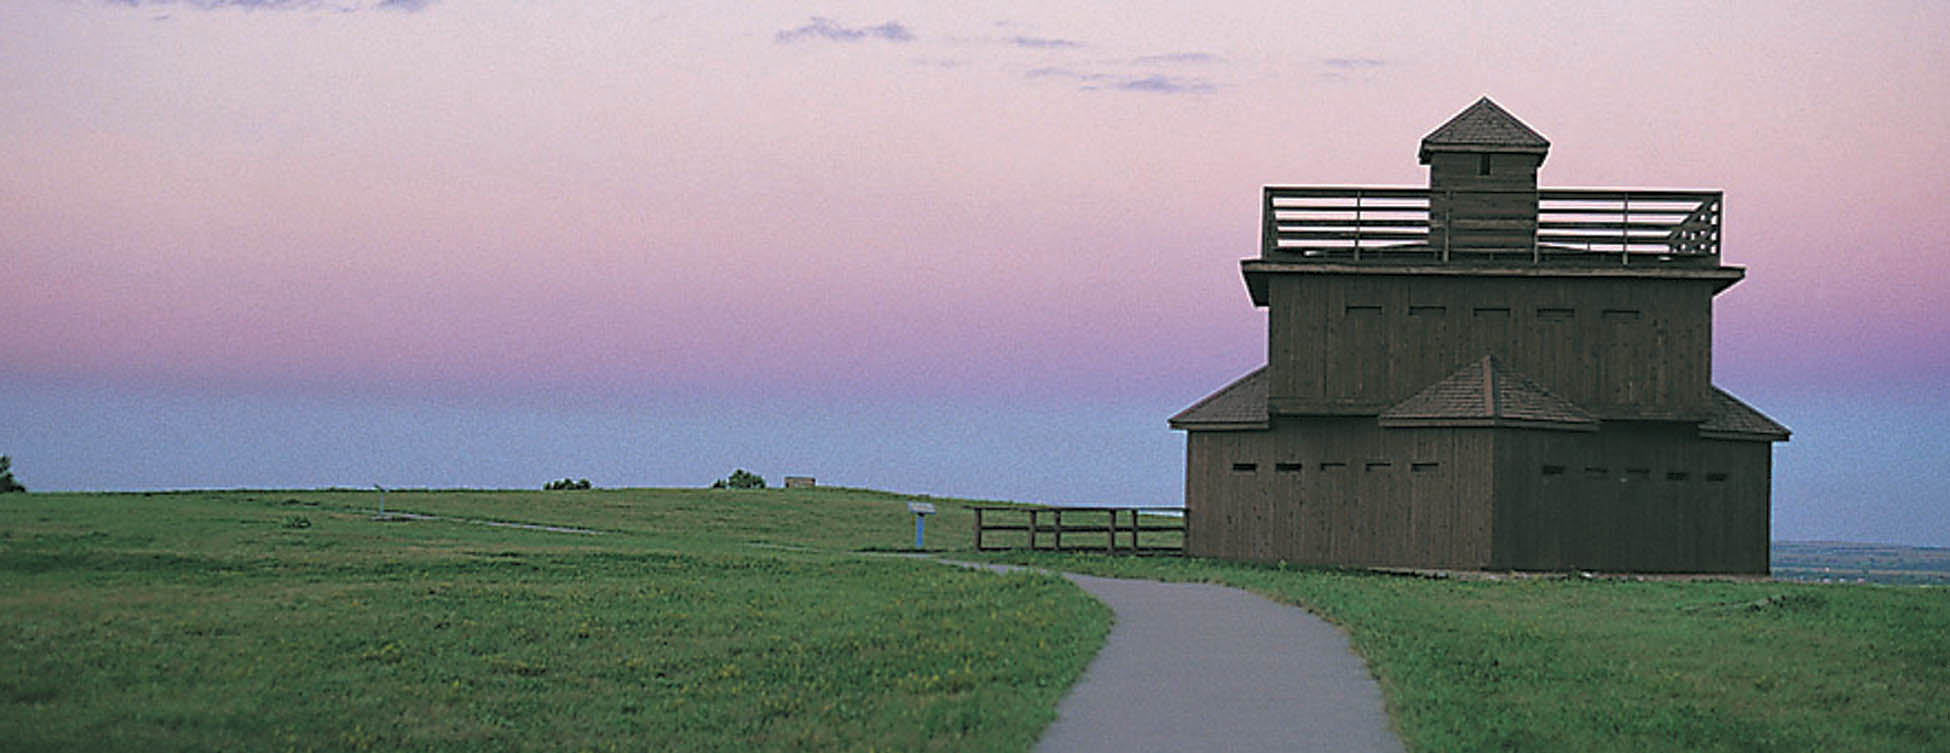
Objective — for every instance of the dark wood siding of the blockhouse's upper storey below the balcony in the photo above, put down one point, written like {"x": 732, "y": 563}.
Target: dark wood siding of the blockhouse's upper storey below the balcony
{"x": 1619, "y": 348}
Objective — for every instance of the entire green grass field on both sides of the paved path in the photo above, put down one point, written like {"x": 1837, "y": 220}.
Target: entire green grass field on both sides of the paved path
{"x": 761, "y": 621}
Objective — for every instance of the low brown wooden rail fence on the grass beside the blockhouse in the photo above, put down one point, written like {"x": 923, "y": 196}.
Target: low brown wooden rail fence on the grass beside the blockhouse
{"x": 1089, "y": 530}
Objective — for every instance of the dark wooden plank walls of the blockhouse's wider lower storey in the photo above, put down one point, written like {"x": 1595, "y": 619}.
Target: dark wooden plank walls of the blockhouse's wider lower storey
{"x": 1635, "y": 498}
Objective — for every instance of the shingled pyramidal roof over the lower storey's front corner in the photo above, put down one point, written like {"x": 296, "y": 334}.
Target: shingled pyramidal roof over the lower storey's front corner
{"x": 1489, "y": 393}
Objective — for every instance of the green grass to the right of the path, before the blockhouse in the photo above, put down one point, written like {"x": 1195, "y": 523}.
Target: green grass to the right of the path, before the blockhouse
{"x": 1569, "y": 664}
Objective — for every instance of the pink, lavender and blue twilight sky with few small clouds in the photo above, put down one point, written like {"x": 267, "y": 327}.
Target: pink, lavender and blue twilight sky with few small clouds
{"x": 953, "y": 249}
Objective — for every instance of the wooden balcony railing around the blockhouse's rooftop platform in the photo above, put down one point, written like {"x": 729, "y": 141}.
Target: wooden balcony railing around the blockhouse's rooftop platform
{"x": 1467, "y": 225}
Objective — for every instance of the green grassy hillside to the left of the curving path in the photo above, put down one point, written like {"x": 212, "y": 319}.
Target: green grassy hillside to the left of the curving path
{"x": 293, "y": 621}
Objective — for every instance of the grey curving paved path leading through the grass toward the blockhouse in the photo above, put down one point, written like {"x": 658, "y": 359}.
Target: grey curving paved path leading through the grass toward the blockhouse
{"x": 1208, "y": 668}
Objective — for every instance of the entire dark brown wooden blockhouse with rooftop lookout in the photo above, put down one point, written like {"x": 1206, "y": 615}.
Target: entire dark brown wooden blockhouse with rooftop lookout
{"x": 1485, "y": 376}
